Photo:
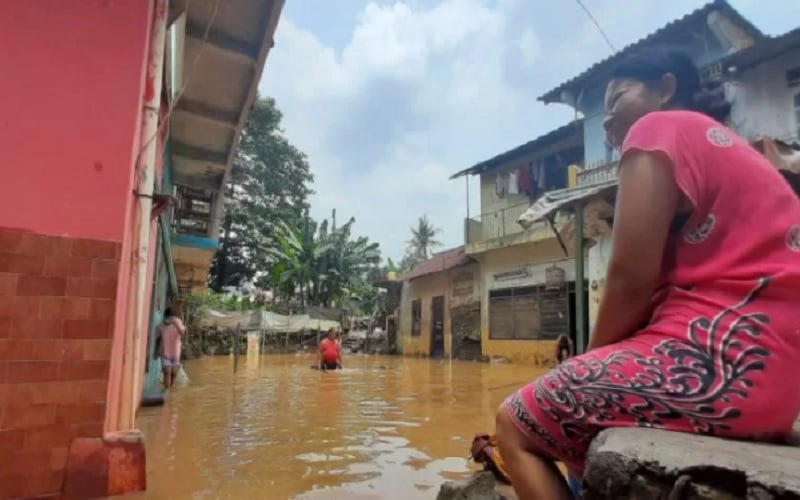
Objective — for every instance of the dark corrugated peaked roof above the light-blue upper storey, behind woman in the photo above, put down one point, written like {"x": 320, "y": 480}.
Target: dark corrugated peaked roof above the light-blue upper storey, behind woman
{"x": 605, "y": 65}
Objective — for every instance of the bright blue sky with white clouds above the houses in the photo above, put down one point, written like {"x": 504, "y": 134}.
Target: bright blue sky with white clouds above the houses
{"x": 389, "y": 98}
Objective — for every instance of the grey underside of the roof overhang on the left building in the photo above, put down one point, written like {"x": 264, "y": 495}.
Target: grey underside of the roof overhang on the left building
{"x": 224, "y": 49}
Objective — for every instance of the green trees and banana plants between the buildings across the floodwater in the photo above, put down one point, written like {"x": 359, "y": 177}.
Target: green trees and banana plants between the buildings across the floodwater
{"x": 267, "y": 235}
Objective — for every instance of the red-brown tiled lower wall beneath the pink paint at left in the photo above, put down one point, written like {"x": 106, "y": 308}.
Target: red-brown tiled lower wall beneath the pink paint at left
{"x": 57, "y": 301}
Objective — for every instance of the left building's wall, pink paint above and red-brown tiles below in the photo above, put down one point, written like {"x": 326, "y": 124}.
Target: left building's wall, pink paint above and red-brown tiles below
{"x": 71, "y": 93}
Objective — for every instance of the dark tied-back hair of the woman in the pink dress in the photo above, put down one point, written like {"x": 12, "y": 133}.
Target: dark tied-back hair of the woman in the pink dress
{"x": 649, "y": 67}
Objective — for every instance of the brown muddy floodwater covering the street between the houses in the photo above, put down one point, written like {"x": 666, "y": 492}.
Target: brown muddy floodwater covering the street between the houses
{"x": 384, "y": 427}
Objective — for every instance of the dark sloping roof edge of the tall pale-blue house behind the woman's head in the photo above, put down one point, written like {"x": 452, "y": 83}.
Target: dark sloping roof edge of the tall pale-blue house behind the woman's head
{"x": 554, "y": 95}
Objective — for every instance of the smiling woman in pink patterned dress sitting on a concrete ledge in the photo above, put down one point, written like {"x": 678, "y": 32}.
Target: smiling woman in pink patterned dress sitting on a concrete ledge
{"x": 698, "y": 330}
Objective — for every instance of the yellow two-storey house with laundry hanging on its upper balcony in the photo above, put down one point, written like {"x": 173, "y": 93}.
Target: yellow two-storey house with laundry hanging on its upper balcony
{"x": 526, "y": 275}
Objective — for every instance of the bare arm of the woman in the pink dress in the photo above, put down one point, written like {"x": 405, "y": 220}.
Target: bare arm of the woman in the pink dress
{"x": 647, "y": 200}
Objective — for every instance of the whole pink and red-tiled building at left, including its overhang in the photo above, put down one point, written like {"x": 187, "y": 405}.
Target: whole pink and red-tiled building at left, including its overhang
{"x": 109, "y": 125}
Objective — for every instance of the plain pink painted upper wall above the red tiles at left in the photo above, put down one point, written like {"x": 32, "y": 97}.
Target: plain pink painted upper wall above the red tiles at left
{"x": 71, "y": 95}
